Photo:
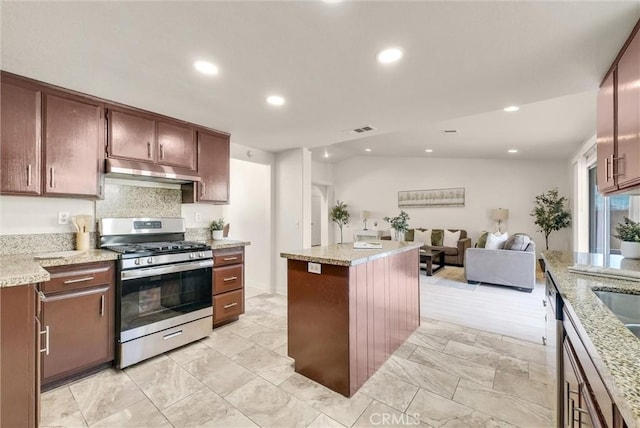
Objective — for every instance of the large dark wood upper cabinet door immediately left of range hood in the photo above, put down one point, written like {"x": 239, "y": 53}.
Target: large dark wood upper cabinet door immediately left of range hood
{"x": 73, "y": 138}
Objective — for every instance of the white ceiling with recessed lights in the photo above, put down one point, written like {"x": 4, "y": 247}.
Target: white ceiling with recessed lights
{"x": 463, "y": 62}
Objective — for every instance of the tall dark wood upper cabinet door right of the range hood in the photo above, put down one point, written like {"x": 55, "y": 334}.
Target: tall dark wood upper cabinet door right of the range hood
{"x": 213, "y": 166}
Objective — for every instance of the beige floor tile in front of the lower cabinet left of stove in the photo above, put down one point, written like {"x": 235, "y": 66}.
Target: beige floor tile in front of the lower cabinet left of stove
{"x": 104, "y": 394}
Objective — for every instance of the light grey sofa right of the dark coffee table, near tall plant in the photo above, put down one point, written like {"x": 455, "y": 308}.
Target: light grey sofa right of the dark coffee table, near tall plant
{"x": 512, "y": 265}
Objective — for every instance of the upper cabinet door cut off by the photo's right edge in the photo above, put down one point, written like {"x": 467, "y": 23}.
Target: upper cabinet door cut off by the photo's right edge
{"x": 629, "y": 115}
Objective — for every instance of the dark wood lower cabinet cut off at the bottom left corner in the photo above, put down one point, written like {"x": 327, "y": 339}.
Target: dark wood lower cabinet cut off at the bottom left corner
{"x": 19, "y": 357}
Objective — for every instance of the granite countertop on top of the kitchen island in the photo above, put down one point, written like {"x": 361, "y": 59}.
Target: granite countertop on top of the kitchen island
{"x": 346, "y": 255}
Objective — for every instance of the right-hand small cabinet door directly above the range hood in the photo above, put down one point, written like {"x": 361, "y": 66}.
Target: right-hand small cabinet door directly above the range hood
{"x": 176, "y": 145}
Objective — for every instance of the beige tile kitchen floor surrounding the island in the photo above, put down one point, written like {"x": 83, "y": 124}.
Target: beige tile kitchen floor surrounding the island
{"x": 444, "y": 375}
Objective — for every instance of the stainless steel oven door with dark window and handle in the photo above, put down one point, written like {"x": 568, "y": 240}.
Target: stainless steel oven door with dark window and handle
{"x": 158, "y": 298}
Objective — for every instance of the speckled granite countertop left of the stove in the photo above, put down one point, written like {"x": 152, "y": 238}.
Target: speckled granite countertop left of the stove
{"x": 25, "y": 269}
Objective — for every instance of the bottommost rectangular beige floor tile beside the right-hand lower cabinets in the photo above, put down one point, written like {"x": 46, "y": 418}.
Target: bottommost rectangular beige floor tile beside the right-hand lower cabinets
{"x": 501, "y": 405}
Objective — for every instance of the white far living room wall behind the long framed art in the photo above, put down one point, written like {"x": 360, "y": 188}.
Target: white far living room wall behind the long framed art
{"x": 372, "y": 183}
